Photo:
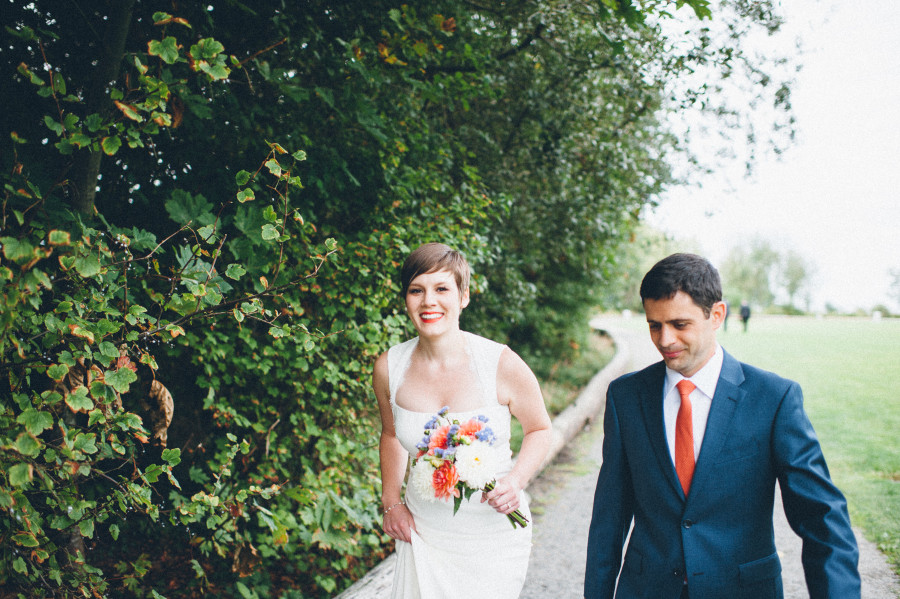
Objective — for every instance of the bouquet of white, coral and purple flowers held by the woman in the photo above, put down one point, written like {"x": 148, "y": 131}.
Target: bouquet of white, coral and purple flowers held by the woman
{"x": 456, "y": 460}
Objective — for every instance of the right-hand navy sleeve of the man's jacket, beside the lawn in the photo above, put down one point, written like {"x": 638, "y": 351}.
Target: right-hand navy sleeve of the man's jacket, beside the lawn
{"x": 815, "y": 508}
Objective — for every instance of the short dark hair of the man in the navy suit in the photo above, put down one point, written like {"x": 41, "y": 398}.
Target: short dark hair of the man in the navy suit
{"x": 689, "y": 273}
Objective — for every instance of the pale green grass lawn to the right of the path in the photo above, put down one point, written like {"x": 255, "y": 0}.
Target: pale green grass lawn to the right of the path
{"x": 848, "y": 370}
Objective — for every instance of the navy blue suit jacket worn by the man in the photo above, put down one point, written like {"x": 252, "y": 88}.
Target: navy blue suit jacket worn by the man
{"x": 720, "y": 538}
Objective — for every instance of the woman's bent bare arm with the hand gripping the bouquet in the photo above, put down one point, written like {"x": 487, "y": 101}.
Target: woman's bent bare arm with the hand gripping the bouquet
{"x": 518, "y": 388}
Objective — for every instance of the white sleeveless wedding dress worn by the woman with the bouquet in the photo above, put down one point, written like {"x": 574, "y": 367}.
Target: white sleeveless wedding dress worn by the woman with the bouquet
{"x": 477, "y": 552}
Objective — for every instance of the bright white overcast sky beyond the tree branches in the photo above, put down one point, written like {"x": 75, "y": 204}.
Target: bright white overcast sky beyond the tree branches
{"x": 834, "y": 196}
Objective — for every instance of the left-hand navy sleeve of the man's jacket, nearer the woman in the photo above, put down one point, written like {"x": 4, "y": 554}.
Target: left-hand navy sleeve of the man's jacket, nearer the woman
{"x": 612, "y": 512}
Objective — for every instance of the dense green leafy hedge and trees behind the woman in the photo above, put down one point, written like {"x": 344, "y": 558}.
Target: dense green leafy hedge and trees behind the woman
{"x": 200, "y": 249}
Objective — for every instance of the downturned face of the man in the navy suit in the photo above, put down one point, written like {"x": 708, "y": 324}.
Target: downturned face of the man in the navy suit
{"x": 682, "y": 332}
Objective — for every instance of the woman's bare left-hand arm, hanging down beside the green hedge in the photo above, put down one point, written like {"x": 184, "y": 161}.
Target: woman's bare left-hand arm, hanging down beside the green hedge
{"x": 398, "y": 521}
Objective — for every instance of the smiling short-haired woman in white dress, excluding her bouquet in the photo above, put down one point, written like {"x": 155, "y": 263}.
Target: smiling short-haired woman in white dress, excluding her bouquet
{"x": 476, "y": 551}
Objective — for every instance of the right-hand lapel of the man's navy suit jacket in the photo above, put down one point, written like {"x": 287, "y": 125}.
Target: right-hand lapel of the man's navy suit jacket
{"x": 721, "y": 413}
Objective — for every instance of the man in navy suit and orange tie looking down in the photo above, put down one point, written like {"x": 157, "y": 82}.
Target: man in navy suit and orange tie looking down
{"x": 703, "y": 529}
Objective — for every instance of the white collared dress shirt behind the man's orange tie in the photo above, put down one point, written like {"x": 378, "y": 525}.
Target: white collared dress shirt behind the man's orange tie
{"x": 705, "y": 380}
